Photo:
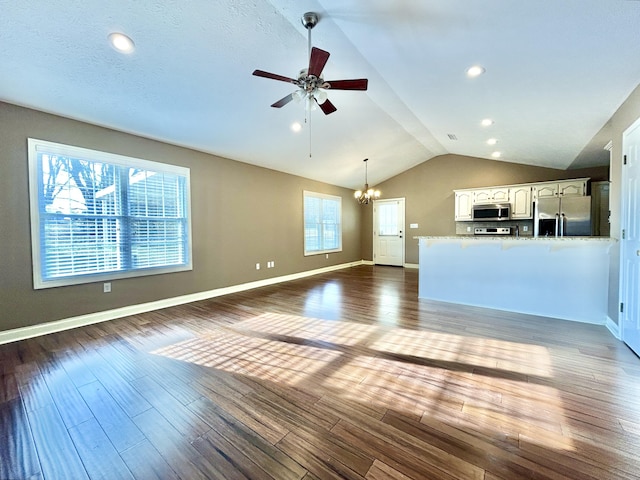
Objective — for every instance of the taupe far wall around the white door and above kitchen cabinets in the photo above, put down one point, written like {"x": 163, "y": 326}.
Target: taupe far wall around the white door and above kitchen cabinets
{"x": 429, "y": 199}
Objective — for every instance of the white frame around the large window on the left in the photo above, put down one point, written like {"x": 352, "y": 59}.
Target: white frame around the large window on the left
{"x": 36, "y": 147}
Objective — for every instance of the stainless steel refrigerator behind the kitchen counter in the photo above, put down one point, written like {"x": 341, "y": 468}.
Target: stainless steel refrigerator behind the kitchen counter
{"x": 562, "y": 217}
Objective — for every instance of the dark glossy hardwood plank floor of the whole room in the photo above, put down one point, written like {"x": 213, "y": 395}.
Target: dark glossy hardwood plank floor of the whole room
{"x": 341, "y": 375}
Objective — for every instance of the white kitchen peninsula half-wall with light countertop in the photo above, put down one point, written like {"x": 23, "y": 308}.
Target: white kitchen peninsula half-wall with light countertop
{"x": 564, "y": 278}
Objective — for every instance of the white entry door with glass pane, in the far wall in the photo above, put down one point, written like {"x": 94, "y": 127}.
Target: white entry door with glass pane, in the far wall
{"x": 388, "y": 232}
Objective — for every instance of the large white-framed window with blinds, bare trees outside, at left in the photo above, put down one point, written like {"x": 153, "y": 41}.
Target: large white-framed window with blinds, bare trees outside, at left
{"x": 97, "y": 216}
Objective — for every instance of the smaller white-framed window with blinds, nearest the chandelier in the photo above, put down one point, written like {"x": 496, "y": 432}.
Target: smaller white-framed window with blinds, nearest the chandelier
{"x": 322, "y": 223}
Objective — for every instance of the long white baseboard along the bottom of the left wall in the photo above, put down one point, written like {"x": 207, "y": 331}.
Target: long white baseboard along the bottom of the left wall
{"x": 23, "y": 333}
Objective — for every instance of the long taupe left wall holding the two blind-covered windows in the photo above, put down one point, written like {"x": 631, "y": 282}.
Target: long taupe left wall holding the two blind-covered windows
{"x": 241, "y": 215}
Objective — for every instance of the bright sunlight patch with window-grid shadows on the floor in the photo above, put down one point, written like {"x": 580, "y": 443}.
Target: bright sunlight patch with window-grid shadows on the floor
{"x": 482, "y": 384}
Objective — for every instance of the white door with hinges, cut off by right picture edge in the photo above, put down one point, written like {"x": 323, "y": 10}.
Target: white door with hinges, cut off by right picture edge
{"x": 630, "y": 241}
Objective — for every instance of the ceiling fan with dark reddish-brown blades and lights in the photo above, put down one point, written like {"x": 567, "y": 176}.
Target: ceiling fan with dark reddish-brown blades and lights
{"x": 311, "y": 86}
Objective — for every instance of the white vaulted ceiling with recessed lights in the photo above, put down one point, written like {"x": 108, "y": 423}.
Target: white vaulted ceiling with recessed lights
{"x": 556, "y": 70}
